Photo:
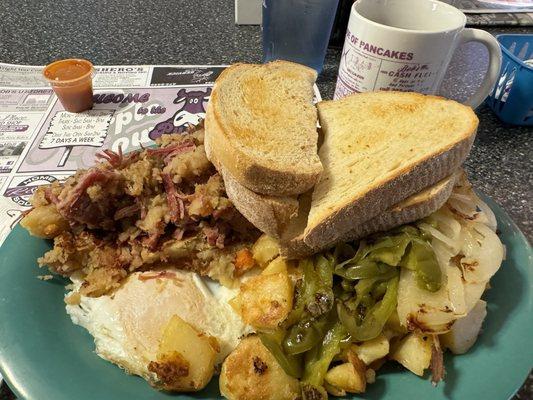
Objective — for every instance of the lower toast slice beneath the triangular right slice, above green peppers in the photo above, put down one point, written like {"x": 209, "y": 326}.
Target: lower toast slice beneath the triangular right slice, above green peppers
{"x": 413, "y": 208}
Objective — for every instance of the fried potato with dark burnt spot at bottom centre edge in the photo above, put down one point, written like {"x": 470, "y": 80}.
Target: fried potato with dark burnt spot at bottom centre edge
{"x": 251, "y": 372}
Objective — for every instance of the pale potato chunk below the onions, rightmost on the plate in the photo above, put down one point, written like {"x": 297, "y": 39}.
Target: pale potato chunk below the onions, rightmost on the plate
{"x": 464, "y": 331}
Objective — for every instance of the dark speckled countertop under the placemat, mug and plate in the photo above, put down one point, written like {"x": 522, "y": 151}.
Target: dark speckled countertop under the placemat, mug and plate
{"x": 203, "y": 32}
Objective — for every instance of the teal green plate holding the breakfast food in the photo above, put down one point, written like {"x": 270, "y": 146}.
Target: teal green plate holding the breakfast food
{"x": 44, "y": 356}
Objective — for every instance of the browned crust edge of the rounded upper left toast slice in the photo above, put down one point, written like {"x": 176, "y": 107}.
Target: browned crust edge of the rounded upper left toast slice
{"x": 255, "y": 173}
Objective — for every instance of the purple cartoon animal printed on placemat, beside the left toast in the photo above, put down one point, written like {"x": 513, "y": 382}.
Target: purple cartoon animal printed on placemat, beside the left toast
{"x": 191, "y": 112}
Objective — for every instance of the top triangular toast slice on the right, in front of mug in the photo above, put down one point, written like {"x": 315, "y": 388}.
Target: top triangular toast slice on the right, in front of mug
{"x": 380, "y": 148}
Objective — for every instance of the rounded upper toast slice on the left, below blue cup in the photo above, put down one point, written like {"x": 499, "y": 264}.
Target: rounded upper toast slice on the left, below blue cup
{"x": 262, "y": 126}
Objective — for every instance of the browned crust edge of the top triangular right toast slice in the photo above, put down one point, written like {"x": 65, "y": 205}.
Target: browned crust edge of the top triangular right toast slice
{"x": 333, "y": 225}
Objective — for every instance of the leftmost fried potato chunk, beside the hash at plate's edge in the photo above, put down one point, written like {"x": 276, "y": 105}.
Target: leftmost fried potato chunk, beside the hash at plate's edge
{"x": 44, "y": 222}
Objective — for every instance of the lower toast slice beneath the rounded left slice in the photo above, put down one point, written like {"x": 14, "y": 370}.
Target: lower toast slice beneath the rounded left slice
{"x": 269, "y": 214}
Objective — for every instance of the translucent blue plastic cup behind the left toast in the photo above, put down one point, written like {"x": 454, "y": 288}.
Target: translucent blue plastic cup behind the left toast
{"x": 297, "y": 30}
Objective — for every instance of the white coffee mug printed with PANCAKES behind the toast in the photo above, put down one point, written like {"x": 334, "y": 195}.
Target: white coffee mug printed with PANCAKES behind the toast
{"x": 407, "y": 45}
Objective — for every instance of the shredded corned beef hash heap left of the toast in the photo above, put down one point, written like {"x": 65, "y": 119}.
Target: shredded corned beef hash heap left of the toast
{"x": 145, "y": 209}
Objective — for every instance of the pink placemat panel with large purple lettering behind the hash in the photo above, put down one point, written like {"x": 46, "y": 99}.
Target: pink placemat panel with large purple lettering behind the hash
{"x": 128, "y": 128}
